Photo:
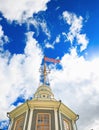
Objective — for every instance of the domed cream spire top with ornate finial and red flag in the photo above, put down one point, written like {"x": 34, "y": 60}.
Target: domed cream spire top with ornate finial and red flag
{"x": 43, "y": 92}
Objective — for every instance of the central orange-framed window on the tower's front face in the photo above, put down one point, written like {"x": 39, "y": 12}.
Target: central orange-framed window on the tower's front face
{"x": 43, "y": 122}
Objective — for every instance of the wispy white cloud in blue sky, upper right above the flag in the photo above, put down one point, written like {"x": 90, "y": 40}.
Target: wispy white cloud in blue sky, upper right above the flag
{"x": 76, "y": 24}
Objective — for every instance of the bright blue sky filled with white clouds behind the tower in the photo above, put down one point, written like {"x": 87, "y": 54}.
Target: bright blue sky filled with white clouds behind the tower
{"x": 60, "y": 29}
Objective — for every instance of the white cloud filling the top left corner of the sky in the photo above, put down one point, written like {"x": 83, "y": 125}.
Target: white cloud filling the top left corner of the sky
{"x": 21, "y": 10}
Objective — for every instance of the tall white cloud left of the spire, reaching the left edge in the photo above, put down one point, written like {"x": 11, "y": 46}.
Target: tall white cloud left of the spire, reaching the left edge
{"x": 19, "y": 75}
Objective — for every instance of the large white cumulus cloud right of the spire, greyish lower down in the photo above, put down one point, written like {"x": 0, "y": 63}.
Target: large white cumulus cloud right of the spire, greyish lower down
{"x": 77, "y": 85}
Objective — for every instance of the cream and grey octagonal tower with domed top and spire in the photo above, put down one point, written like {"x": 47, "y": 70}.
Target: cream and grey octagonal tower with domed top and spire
{"x": 43, "y": 112}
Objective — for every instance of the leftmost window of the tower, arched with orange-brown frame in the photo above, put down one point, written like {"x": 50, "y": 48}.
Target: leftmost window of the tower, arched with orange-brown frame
{"x": 19, "y": 123}
